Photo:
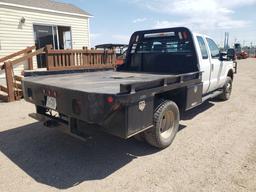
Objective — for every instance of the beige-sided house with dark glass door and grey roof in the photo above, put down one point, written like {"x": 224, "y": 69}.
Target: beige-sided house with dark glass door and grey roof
{"x": 26, "y": 23}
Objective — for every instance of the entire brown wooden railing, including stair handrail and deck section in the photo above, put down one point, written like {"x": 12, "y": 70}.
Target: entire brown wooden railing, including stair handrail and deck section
{"x": 55, "y": 60}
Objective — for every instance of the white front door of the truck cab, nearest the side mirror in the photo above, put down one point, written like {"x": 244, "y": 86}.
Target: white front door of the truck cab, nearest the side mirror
{"x": 216, "y": 65}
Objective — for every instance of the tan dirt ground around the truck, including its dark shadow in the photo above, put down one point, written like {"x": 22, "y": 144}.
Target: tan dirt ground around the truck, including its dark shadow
{"x": 214, "y": 151}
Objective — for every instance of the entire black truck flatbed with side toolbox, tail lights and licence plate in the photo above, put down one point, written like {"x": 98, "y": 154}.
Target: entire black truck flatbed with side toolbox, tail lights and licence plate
{"x": 84, "y": 96}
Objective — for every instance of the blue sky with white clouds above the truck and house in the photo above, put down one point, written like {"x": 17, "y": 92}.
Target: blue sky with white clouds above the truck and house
{"x": 115, "y": 20}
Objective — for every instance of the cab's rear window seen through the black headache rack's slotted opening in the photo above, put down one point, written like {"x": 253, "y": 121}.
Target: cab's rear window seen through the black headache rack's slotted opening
{"x": 169, "y": 42}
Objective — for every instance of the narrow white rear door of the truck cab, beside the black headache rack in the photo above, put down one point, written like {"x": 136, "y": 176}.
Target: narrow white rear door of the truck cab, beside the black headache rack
{"x": 204, "y": 61}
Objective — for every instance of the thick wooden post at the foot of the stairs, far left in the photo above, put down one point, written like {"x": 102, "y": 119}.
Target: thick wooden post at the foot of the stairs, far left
{"x": 9, "y": 80}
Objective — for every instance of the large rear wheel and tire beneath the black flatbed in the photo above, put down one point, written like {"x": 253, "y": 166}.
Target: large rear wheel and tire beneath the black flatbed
{"x": 166, "y": 125}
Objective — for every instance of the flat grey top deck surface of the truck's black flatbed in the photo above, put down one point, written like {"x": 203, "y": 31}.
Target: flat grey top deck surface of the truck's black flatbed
{"x": 102, "y": 82}
